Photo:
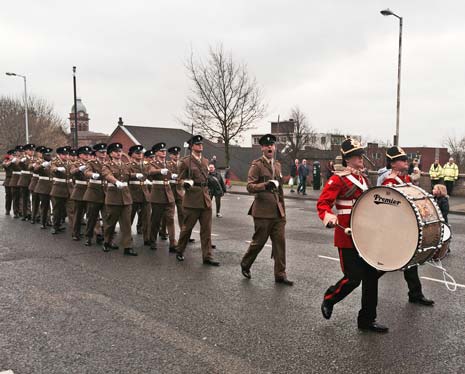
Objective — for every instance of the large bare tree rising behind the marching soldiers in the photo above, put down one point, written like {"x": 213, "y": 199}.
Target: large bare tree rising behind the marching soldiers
{"x": 224, "y": 101}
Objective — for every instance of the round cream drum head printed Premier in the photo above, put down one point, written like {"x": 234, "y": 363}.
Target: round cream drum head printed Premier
{"x": 384, "y": 228}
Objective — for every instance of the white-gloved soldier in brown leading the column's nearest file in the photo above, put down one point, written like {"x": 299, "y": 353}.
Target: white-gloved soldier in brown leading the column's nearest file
{"x": 118, "y": 200}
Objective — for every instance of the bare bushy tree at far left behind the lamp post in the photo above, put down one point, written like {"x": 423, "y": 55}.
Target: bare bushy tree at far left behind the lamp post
{"x": 45, "y": 126}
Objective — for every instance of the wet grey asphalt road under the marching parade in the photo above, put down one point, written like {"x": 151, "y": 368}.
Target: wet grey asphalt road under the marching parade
{"x": 66, "y": 308}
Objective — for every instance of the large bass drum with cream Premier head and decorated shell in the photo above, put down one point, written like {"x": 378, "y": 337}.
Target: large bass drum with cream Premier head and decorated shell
{"x": 396, "y": 227}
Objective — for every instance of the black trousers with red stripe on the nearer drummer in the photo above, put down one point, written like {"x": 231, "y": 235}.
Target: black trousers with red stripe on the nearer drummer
{"x": 356, "y": 271}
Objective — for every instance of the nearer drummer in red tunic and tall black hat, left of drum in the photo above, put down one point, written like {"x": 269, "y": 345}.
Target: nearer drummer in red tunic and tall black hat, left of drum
{"x": 342, "y": 190}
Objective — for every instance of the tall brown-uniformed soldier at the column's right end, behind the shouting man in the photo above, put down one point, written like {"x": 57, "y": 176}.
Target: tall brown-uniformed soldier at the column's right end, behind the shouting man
{"x": 197, "y": 204}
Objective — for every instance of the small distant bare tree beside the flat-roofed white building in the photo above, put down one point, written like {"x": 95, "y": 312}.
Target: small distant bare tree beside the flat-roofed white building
{"x": 299, "y": 135}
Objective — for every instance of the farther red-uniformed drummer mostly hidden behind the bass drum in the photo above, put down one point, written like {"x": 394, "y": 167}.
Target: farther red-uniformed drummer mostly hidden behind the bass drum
{"x": 397, "y": 165}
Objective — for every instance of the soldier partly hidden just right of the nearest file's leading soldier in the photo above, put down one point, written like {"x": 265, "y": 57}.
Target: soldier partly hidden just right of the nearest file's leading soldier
{"x": 138, "y": 187}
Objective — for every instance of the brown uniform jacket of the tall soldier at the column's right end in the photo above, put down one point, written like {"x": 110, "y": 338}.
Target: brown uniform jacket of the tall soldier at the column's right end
{"x": 196, "y": 196}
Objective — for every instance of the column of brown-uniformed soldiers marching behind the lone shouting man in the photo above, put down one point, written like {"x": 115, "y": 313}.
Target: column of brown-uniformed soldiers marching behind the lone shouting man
{"x": 96, "y": 187}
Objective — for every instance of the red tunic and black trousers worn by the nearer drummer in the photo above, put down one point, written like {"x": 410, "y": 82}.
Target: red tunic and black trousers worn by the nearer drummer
{"x": 341, "y": 191}
